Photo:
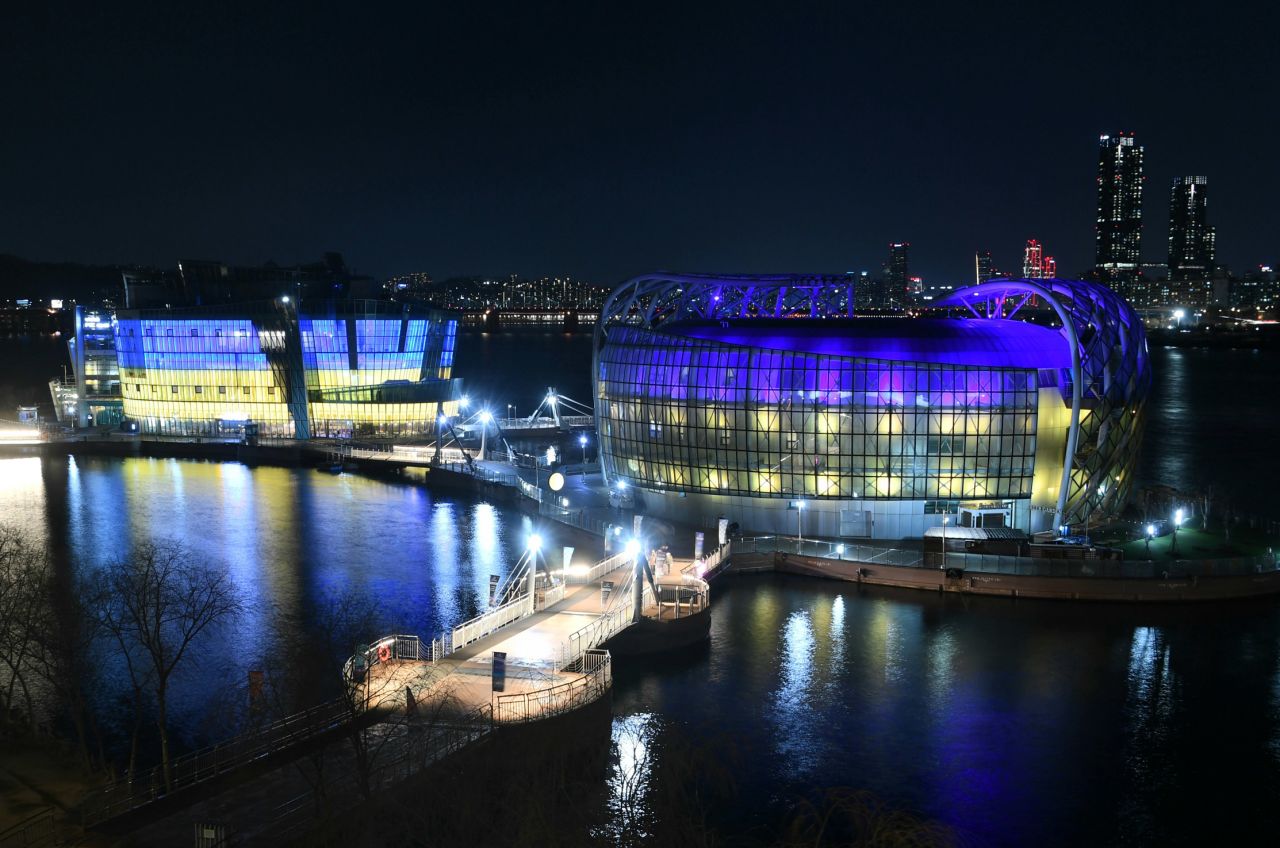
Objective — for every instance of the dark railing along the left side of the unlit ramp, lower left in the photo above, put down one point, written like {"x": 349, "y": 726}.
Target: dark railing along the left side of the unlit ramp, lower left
{"x": 209, "y": 763}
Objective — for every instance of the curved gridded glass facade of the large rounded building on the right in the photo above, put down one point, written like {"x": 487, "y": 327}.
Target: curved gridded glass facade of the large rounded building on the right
{"x": 693, "y": 416}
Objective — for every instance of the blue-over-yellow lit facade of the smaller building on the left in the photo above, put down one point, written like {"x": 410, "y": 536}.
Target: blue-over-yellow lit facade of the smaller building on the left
{"x": 331, "y": 370}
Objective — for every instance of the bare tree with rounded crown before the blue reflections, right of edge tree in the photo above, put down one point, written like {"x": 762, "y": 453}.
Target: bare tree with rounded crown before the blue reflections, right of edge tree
{"x": 158, "y": 601}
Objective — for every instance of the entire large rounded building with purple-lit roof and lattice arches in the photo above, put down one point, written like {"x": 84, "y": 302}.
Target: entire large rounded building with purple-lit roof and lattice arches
{"x": 747, "y": 396}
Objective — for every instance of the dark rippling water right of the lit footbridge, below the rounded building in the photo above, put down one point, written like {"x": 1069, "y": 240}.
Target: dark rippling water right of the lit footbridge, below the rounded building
{"x": 1012, "y": 723}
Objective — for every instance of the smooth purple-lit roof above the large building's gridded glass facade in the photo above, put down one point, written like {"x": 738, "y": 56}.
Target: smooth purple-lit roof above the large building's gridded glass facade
{"x": 950, "y": 341}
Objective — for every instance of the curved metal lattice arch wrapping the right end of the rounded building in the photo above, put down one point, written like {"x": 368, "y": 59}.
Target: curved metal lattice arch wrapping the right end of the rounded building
{"x": 1109, "y": 382}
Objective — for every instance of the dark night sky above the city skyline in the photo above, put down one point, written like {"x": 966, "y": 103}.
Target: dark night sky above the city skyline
{"x": 605, "y": 140}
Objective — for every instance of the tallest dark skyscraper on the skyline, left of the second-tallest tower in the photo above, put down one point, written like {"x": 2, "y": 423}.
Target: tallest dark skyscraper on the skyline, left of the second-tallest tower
{"x": 1119, "y": 222}
